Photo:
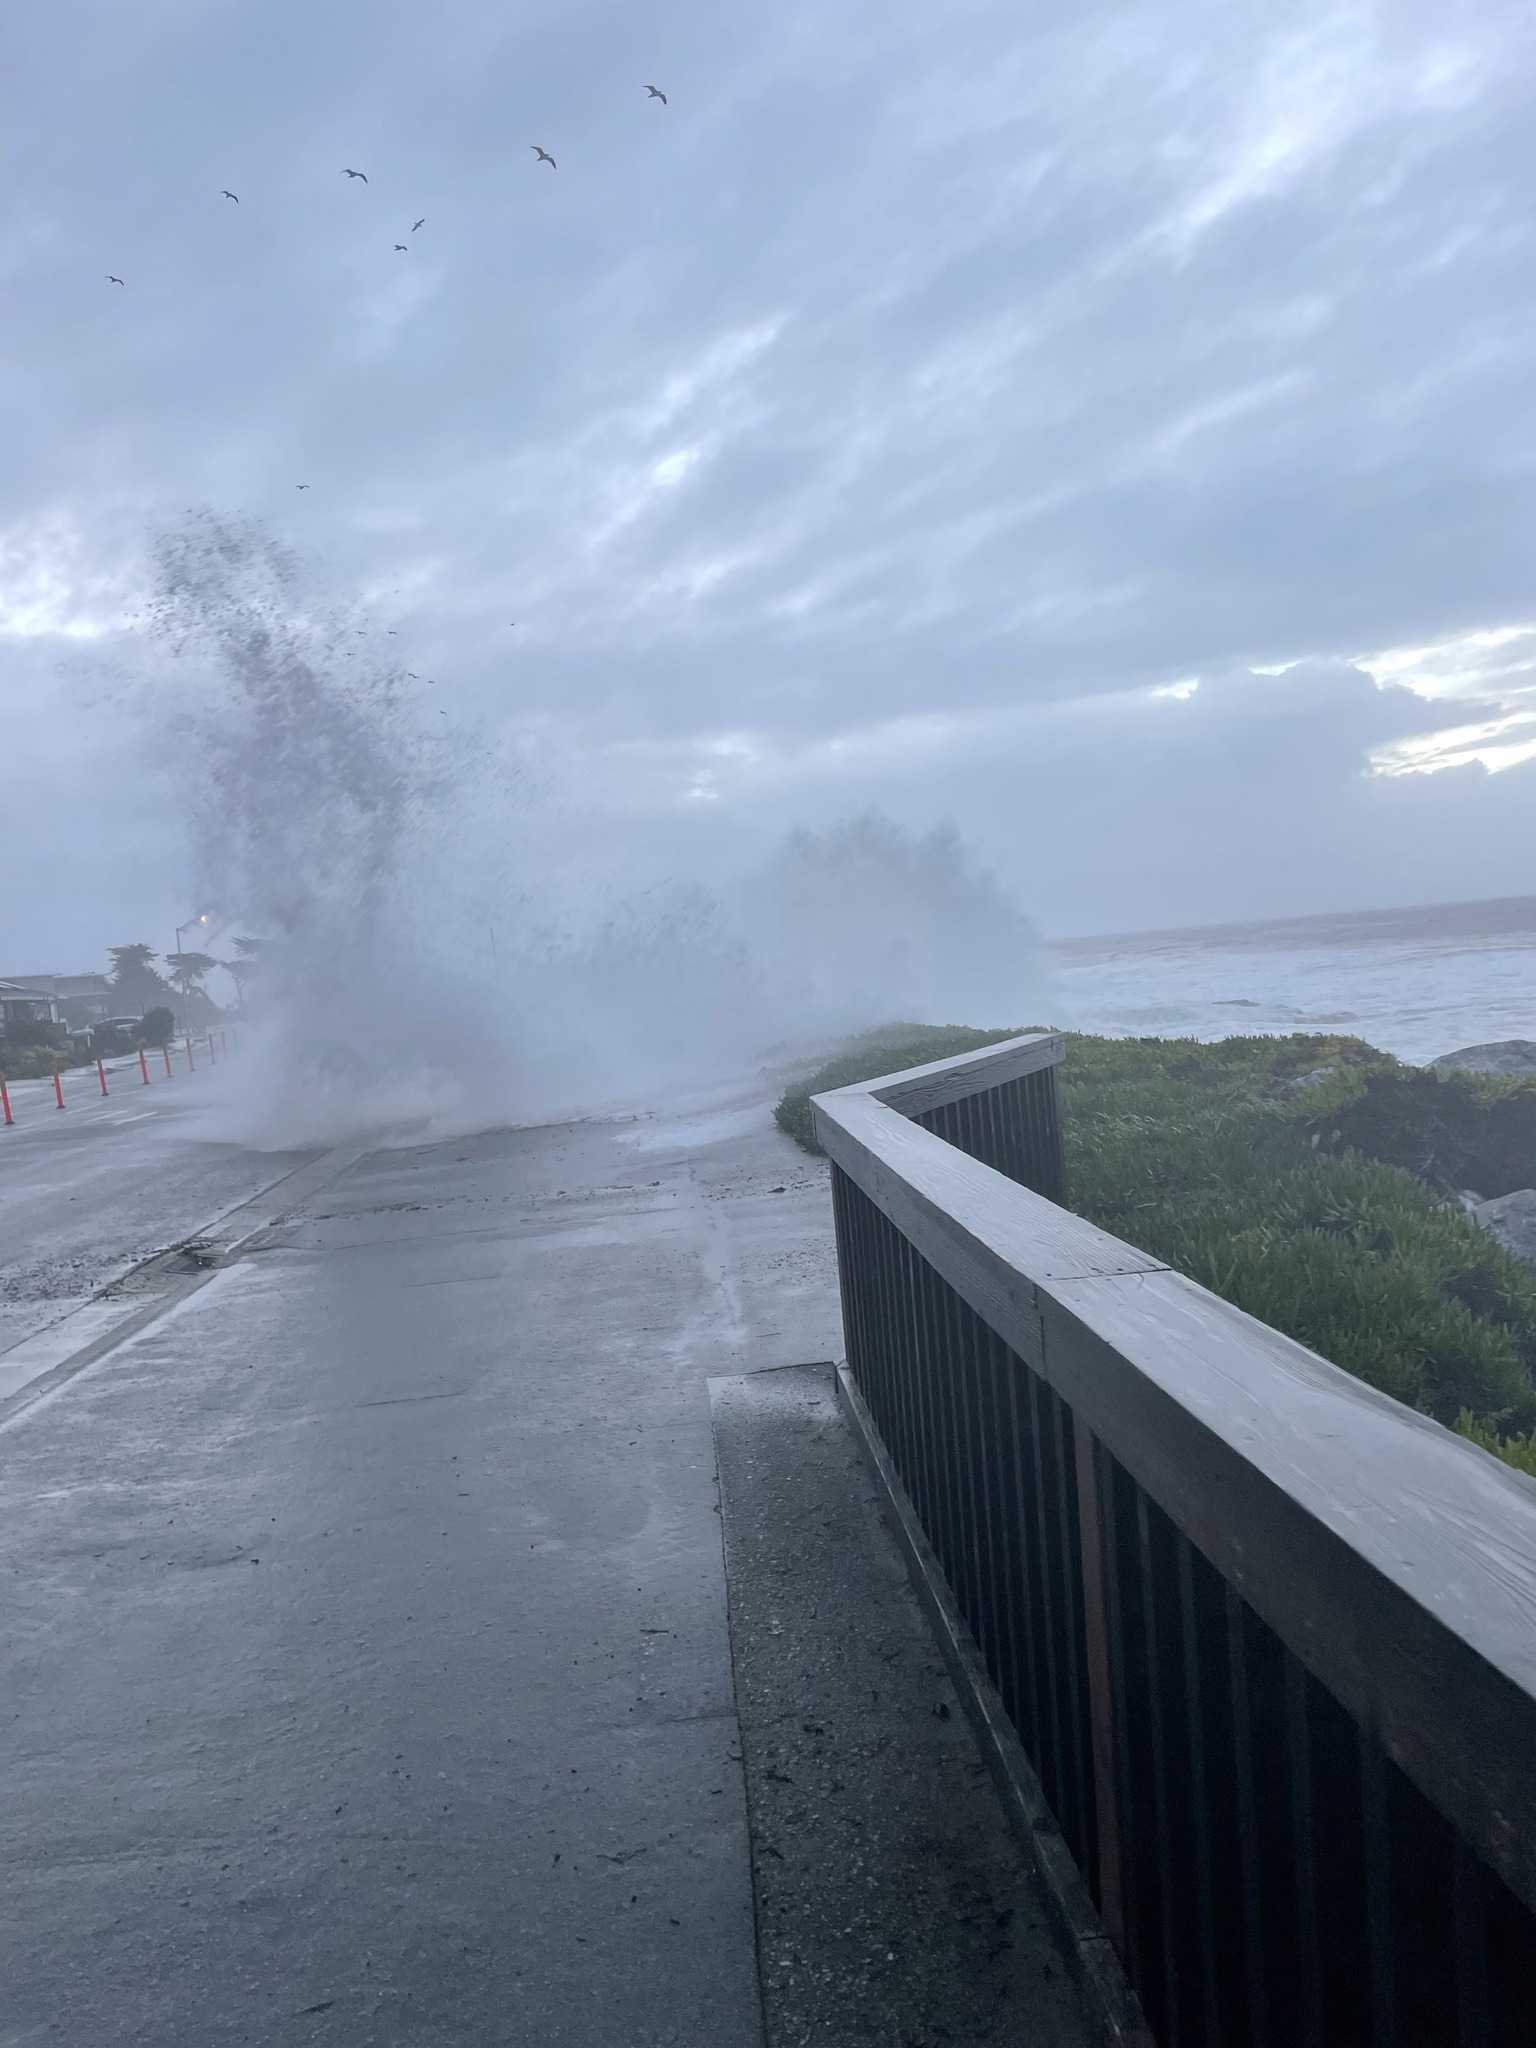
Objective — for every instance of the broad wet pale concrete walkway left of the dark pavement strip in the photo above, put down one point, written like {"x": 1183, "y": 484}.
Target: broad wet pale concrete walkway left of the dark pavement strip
{"x": 366, "y": 1652}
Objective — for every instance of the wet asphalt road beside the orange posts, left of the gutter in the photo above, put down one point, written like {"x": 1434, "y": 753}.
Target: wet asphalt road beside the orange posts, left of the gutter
{"x": 108, "y": 1183}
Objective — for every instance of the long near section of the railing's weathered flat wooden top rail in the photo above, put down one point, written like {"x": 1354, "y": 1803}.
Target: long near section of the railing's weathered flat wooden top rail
{"x": 1394, "y": 1558}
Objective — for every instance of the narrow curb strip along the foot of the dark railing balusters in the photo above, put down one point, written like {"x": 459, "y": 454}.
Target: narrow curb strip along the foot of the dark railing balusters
{"x": 1113, "y": 2006}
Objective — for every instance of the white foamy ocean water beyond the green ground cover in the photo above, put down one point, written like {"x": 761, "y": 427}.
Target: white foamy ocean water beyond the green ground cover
{"x": 1412, "y": 982}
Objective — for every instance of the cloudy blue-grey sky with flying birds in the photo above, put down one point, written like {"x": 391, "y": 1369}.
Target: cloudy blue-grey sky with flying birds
{"x": 1107, "y": 429}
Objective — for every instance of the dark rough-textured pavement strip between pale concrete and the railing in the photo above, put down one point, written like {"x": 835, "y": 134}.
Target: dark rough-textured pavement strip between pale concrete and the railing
{"x": 892, "y": 1895}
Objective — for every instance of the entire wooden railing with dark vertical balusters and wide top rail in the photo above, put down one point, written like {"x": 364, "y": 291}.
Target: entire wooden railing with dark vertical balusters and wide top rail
{"x": 1265, "y": 1635}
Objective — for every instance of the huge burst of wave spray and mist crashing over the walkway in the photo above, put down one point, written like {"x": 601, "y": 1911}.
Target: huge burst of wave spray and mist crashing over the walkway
{"x": 427, "y": 959}
